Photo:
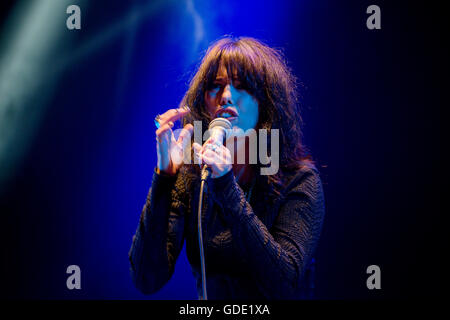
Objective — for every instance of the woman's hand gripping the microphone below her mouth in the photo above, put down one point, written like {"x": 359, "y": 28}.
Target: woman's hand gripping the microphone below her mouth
{"x": 215, "y": 155}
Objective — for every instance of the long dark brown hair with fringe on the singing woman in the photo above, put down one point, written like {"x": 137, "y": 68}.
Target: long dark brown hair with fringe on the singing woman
{"x": 264, "y": 73}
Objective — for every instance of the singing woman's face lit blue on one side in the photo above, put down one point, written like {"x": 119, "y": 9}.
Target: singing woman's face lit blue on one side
{"x": 227, "y": 99}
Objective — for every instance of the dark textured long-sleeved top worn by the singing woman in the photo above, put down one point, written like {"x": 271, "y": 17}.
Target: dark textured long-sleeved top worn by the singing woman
{"x": 260, "y": 249}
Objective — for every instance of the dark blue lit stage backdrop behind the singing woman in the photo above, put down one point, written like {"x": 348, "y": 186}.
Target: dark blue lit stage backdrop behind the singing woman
{"x": 369, "y": 103}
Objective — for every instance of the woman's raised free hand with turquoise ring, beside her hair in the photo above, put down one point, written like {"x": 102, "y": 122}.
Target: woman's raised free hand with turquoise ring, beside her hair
{"x": 170, "y": 151}
